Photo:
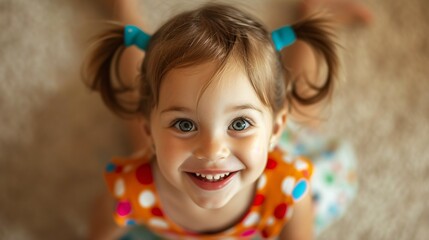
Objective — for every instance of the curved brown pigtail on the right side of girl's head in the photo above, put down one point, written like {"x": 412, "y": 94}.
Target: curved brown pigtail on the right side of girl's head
{"x": 317, "y": 33}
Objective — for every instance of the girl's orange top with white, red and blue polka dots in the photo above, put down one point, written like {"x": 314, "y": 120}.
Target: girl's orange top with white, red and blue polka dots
{"x": 283, "y": 182}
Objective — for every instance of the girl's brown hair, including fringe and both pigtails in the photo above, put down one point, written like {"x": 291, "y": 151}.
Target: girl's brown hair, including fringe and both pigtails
{"x": 213, "y": 32}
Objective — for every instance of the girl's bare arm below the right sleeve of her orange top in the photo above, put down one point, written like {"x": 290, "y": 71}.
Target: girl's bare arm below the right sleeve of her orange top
{"x": 300, "y": 226}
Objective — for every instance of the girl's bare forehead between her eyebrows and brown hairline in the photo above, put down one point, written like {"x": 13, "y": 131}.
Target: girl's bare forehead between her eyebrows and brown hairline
{"x": 206, "y": 83}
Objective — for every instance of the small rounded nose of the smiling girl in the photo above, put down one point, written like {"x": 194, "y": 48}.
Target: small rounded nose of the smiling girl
{"x": 211, "y": 148}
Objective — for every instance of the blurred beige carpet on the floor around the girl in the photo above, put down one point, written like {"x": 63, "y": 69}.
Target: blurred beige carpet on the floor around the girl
{"x": 55, "y": 135}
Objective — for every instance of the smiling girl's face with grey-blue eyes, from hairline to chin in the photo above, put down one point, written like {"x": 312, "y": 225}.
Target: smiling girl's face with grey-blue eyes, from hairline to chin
{"x": 211, "y": 146}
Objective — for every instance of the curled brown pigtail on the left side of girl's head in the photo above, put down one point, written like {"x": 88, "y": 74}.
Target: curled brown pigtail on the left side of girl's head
{"x": 100, "y": 71}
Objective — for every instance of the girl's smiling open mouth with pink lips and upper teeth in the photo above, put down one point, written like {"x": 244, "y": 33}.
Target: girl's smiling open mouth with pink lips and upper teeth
{"x": 212, "y": 181}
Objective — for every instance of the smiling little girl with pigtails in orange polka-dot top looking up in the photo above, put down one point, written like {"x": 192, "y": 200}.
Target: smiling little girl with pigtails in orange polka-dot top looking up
{"x": 214, "y": 96}
